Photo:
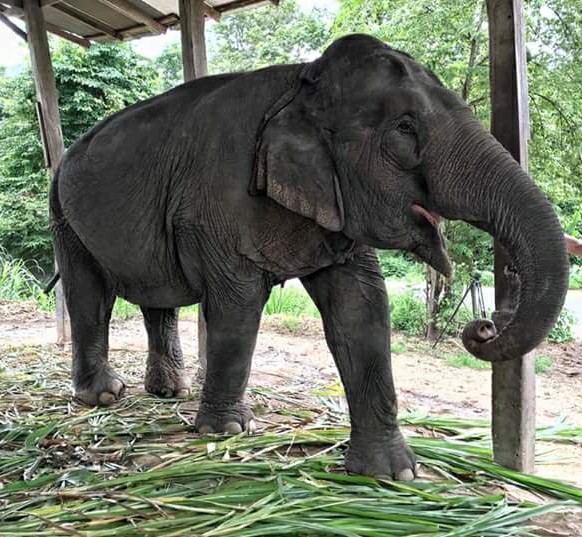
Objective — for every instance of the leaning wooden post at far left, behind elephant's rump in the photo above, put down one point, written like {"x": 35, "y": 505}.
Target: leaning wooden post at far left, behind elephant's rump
{"x": 46, "y": 94}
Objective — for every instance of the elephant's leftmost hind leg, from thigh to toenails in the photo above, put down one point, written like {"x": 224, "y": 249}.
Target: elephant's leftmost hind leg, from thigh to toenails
{"x": 90, "y": 297}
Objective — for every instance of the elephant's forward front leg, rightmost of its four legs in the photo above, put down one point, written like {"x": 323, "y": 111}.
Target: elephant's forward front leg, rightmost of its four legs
{"x": 354, "y": 306}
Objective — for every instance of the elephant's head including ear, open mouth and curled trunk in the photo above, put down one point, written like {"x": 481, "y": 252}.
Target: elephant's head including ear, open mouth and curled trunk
{"x": 369, "y": 143}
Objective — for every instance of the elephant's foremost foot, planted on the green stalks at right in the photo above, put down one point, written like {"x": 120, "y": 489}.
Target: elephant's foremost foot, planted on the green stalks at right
{"x": 382, "y": 456}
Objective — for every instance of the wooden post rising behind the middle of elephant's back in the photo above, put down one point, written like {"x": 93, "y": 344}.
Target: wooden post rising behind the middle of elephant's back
{"x": 195, "y": 66}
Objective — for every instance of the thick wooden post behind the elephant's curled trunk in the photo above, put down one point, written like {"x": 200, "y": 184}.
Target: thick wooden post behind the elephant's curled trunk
{"x": 514, "y": 381}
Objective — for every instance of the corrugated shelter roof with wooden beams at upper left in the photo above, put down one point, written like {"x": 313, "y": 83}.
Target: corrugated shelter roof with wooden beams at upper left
{"x": 116, "y": 20}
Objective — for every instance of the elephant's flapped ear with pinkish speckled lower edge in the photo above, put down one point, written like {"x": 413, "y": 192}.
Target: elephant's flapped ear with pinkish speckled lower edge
{"x": 294, "y": 168}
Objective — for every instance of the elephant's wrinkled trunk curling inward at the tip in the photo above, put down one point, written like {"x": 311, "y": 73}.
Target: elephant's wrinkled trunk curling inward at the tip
{"x": 471, "y": 177}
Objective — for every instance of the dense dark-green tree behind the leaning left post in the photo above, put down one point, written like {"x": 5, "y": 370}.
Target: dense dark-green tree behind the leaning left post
{"x": 92, "y": 83}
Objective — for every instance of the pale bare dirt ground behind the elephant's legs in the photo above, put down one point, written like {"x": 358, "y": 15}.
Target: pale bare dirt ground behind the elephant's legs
{"x": 300, "y": 359}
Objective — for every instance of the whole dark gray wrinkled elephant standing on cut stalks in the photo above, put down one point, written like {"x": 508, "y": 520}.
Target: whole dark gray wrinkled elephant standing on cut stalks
{"x": 223, "y": 187}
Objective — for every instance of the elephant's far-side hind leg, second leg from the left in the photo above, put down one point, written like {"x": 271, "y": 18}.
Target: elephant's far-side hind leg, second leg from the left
{"x": 165, "y": 374}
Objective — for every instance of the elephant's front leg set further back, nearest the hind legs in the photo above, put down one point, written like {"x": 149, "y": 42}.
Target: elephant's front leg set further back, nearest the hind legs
{"x": 232, "y": 335}
